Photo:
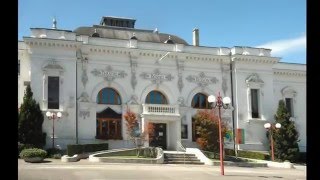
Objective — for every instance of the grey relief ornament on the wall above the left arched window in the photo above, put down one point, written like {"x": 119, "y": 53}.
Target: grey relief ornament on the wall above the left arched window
{"x": 108, "y": 73}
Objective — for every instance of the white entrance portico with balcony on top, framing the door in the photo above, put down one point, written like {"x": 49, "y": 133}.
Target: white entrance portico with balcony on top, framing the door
{"x": 166, "y": 114}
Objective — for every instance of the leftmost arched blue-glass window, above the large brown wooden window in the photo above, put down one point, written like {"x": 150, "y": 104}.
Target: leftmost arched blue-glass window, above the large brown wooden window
{"x": 108, "y": 96}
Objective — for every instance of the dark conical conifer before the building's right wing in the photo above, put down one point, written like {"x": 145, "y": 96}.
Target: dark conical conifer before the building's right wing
{"x": 286, "y": 138}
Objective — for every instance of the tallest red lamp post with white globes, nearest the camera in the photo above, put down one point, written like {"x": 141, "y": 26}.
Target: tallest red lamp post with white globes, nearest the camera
{"x": 224, "y": 103}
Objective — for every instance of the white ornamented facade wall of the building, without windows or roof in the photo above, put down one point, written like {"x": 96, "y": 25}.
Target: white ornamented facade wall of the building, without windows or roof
{"x": 133, "y": 69}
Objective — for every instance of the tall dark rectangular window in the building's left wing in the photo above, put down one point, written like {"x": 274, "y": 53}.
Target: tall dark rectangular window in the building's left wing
{"x": 53, "y": 92}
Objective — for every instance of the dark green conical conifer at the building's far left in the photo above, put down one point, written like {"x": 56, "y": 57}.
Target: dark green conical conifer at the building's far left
{"x": 30, "y": 119}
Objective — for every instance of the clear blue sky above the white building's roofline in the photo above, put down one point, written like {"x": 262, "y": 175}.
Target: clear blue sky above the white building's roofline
{"x": 276, "y": 24}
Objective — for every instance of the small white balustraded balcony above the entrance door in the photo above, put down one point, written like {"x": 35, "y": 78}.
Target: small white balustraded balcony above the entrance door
{"x": 160, "y": 109}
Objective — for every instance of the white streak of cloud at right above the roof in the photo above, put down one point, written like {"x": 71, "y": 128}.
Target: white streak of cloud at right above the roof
{"x": 285, "y": 46}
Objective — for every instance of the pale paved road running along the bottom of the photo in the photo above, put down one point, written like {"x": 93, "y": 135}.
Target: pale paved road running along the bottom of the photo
{"x": 85, "y": 170}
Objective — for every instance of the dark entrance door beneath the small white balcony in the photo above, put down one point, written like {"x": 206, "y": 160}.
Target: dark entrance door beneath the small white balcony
{"x": 158, "y": 138}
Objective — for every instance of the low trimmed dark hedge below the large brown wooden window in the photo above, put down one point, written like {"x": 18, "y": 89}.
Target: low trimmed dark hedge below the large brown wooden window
{"x": 73, "y": 149}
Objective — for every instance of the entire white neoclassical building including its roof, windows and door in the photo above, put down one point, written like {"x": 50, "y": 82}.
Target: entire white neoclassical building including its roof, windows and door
{"x": 94, "y": 75}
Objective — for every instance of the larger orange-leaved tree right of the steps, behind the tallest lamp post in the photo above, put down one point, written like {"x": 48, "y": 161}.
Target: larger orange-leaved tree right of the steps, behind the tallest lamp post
{"x": 207, "y": 127}
